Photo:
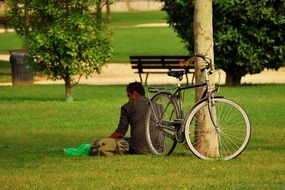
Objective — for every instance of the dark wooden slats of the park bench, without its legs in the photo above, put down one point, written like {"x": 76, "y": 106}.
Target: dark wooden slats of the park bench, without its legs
{"x": 159, "y": 62}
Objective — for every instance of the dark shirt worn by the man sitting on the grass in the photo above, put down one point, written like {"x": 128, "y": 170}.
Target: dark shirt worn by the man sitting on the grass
{"x": 133, "y": 113}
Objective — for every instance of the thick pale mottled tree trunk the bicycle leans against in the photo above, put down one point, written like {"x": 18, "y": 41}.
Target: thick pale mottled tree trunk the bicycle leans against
{"x": 203, "y": 34}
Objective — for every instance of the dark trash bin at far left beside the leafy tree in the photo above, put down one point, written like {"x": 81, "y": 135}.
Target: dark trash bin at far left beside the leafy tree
{"x": 22, "y": 75}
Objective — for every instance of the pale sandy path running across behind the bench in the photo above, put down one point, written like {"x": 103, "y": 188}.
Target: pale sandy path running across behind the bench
{"x": 122, "y": 73}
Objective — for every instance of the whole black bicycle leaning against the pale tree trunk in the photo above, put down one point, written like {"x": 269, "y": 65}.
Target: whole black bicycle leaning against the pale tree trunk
{"x": 221, "y": 120}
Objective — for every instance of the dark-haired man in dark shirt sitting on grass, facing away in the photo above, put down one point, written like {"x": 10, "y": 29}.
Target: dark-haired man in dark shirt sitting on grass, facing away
{"x": 133, "y": 113}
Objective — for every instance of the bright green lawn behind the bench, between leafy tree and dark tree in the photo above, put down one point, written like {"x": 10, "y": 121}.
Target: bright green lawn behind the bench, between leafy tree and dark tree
{"x": 145, "y": 41}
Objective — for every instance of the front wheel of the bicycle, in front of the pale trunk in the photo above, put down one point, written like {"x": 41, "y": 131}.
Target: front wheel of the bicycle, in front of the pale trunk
{"x": 228, "y": 140}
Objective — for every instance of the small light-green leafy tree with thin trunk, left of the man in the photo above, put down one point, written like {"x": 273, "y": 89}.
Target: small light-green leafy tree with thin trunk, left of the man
{"x": 64, "y": 40}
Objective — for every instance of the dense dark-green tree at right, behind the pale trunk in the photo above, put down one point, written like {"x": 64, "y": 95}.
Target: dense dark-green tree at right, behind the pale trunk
{"x": 248, "y": 34}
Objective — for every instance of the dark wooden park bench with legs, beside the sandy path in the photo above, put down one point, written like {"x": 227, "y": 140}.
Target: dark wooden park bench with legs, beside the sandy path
{"x": 160, "y": 64}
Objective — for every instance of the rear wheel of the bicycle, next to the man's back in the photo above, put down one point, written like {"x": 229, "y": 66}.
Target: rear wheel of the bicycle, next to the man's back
{"x": 160, "y": 125}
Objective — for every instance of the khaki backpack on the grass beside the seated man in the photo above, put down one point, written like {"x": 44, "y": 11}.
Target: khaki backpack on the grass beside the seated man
{"x": 109, "y": 147}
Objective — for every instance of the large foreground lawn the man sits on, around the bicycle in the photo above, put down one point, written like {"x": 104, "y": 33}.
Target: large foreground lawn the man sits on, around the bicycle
{"x": 36, "y": 125}
